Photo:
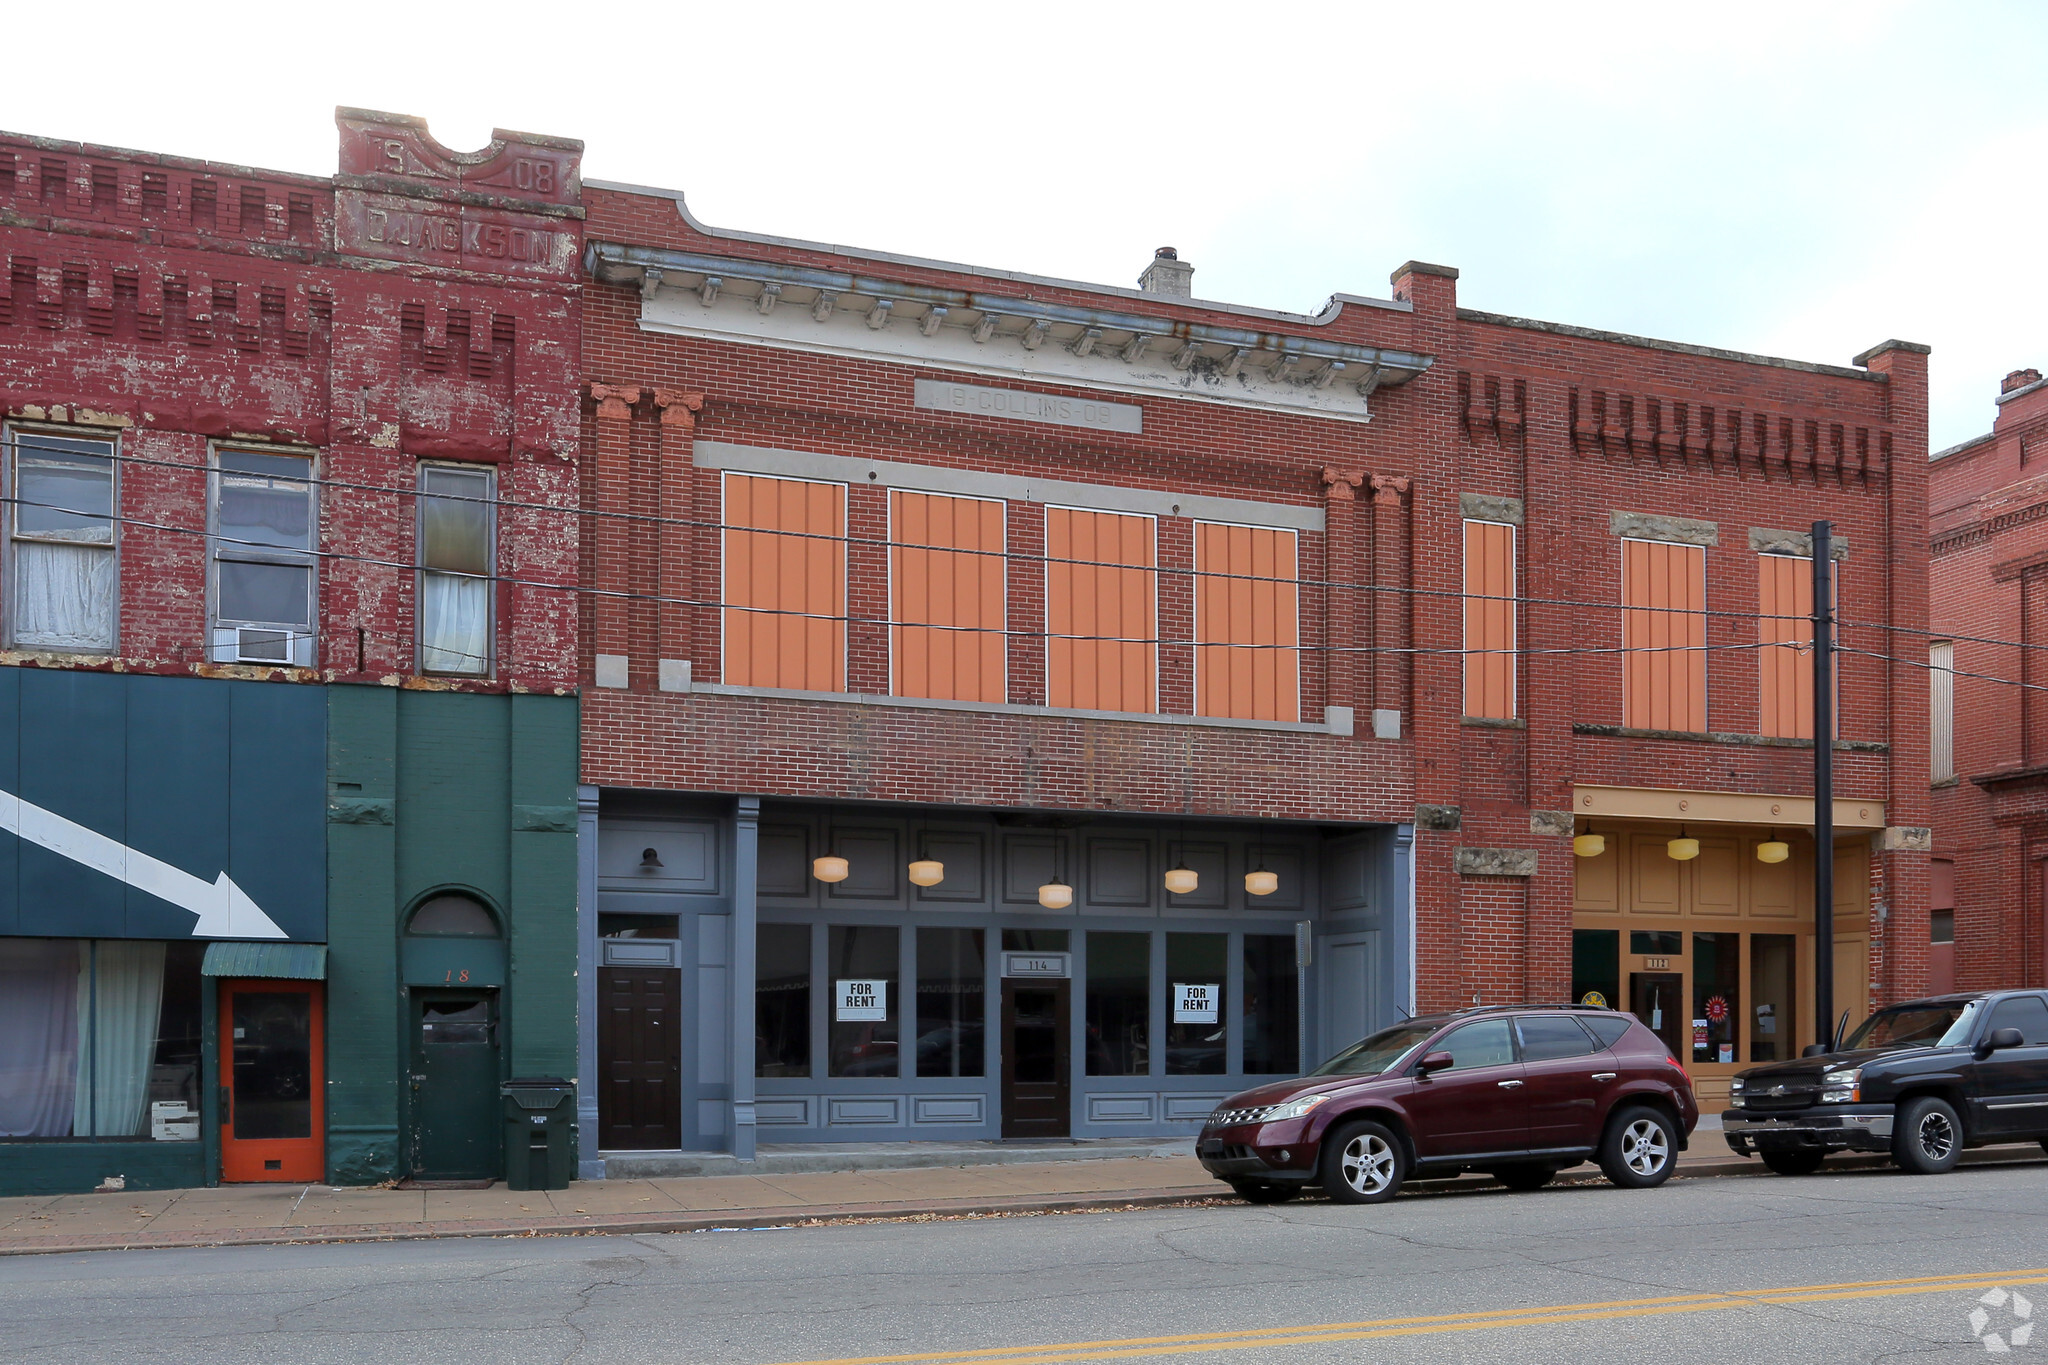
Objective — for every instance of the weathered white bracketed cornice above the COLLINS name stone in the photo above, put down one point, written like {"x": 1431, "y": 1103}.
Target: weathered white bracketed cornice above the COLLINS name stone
{"x": 984, "y": 335}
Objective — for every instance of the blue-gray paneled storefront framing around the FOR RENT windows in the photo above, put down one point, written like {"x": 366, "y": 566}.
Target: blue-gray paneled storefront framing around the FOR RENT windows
{"x": 728, "y": 865}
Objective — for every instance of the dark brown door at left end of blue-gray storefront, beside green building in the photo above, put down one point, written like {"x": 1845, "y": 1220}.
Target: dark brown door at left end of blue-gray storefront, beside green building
{"x": 640, "y": 1059}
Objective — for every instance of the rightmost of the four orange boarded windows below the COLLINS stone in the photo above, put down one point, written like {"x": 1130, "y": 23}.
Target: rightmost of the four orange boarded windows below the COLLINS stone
{"x": 1246, "y": 623}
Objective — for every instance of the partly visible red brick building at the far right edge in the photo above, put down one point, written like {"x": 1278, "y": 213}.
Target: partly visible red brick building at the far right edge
{"x": 1990, "y": 582}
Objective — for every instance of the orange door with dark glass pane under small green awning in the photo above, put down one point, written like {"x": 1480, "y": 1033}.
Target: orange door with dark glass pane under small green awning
{"x": 273, "y": 1059}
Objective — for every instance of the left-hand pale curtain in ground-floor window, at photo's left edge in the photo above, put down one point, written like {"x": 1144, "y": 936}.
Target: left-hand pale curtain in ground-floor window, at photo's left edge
{"x": 38, "y": 1037}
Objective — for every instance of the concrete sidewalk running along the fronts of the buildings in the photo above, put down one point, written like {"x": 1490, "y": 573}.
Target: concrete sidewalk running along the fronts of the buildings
{"x": 259, "y": 1215}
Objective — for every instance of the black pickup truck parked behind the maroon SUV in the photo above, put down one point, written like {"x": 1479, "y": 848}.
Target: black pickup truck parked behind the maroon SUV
{"x": 1920, "y": 1082}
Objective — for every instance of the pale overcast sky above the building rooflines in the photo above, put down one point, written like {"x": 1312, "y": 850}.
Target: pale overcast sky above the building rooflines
{"x": 1791, "y": 179}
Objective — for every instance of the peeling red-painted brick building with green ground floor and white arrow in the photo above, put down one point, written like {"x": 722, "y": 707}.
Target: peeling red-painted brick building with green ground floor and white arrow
{"x": 288, "y": 605}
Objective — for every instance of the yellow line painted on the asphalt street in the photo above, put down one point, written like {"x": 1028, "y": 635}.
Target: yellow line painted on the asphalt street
{"x": 1201, "y": 1344}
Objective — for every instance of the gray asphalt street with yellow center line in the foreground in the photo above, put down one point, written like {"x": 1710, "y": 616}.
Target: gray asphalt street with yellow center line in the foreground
{"x": 1818, "y": 1270}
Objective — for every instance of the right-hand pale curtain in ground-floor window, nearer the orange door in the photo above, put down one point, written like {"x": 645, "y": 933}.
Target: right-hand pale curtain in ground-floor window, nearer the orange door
{"x": 118, "y": 1034}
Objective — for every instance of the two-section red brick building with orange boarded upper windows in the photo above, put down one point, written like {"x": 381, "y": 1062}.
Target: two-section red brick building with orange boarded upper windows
{"x": 1025, "y": 707}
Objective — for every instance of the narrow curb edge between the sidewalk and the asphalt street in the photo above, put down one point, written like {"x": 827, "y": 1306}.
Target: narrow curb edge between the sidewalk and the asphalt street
{"x": 746, "y": 1221}
